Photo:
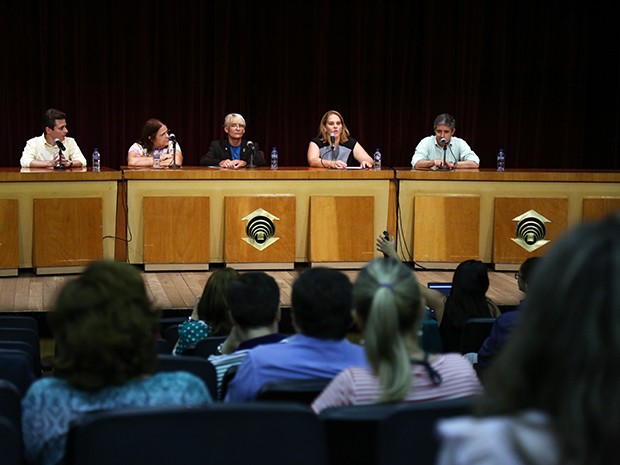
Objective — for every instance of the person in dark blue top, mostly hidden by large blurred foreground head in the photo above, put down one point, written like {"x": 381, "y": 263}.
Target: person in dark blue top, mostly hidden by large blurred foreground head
{"x": 504, "y": 324}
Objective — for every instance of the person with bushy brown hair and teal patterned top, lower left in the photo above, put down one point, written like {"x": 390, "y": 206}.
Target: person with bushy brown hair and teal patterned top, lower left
{"x": 103, "y": 325}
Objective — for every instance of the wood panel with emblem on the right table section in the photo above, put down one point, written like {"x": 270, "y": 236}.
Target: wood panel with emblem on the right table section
{"x": 505, "y": 250}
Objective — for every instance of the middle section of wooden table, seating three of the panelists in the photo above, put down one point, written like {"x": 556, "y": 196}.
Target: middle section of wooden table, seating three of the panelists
{"x": 217, "y": 184}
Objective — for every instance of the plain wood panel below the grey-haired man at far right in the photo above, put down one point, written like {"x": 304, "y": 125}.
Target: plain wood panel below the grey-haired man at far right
{"x": 446, "y": 228}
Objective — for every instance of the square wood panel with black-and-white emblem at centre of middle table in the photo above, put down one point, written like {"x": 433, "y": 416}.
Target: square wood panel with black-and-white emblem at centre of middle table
{"x": 241, "y": 212}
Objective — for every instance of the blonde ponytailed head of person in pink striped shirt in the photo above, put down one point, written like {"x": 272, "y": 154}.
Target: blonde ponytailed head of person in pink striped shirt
{"x": 388, "y": 300}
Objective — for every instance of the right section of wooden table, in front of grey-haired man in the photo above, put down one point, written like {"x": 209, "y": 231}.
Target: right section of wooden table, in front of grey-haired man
{"x": 584, "y": 194}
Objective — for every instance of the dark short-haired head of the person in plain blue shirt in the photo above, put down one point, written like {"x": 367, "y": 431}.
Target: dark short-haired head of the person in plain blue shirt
{"x": 321, "y": 300}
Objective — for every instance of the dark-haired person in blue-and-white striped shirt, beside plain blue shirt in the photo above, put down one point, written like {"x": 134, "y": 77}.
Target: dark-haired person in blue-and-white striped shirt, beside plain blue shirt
{"x": 254, "y": 309}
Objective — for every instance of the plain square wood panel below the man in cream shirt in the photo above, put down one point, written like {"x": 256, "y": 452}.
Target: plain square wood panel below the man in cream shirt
{"x": 67, "y": 232}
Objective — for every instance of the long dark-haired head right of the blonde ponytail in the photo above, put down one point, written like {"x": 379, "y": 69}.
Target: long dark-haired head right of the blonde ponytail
{"x": 467, "y": 299}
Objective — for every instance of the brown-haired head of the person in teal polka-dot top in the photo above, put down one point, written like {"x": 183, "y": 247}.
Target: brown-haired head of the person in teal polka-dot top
{"x": 213, "y": 304}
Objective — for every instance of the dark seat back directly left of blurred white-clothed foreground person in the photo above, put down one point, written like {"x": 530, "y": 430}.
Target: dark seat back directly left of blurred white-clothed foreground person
{"x": 408, "y": 435}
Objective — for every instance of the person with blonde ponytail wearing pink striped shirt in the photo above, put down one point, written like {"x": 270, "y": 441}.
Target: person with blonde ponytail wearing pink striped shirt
{"x": 388, "y": 308}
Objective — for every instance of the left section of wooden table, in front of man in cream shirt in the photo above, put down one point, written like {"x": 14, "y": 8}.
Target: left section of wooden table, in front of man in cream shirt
{"x": 27, "y": 184}
